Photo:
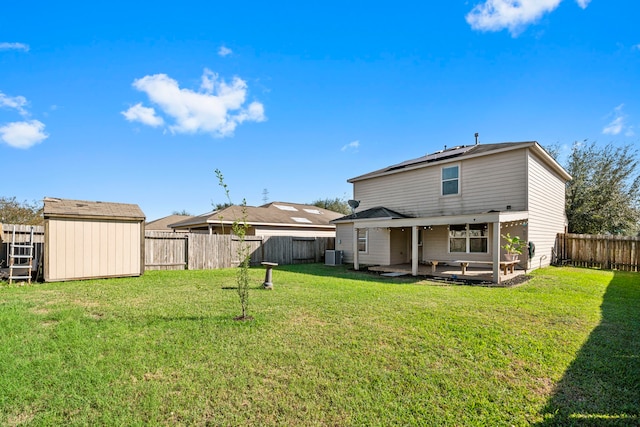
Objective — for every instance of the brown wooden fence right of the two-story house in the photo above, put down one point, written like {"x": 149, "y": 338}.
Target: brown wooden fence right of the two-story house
{"x": 598, "y": 251}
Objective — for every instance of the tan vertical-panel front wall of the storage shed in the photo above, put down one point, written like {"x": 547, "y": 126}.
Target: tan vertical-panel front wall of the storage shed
{"x": 79, "y": 249}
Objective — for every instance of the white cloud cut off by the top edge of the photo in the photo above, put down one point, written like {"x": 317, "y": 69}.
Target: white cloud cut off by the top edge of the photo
{"x": 514, "y": 15}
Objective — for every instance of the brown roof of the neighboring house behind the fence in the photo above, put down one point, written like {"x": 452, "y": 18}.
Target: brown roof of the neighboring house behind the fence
{"x": 271, "y": 214}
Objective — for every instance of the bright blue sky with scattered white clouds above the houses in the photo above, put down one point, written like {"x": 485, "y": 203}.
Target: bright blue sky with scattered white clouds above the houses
{"x": 139, "y": 102}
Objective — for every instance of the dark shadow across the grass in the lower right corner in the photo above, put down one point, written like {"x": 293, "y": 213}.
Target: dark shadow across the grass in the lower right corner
{"x": 601, "y": 387}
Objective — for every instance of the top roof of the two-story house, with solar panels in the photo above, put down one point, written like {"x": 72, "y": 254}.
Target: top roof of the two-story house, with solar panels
{"x": 464, "y": 152}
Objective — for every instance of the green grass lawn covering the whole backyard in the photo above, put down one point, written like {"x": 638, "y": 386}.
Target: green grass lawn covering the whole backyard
{"x": 327, "y": 346}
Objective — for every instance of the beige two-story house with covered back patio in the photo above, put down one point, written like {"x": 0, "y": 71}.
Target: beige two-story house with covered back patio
{"x": 456, "y": 204}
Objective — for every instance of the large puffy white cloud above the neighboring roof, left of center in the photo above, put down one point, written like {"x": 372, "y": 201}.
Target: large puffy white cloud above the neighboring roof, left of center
{"x": 217, "y": 109}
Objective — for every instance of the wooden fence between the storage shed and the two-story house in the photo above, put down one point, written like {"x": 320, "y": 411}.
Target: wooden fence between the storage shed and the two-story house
{"x": 195, "y": 251}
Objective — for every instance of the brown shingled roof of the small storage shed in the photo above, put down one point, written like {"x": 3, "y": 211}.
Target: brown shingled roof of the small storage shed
{"x": 87, "y": 209}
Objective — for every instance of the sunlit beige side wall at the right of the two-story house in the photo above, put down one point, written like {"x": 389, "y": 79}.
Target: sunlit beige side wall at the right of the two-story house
{"x": 546, "y": 209}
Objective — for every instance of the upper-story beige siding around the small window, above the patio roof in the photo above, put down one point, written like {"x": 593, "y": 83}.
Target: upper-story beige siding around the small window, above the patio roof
{"x": 486, "y": 183}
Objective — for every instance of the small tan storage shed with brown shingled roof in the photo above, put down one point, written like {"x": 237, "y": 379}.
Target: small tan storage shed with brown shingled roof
{"x": 88, "y": 240}
